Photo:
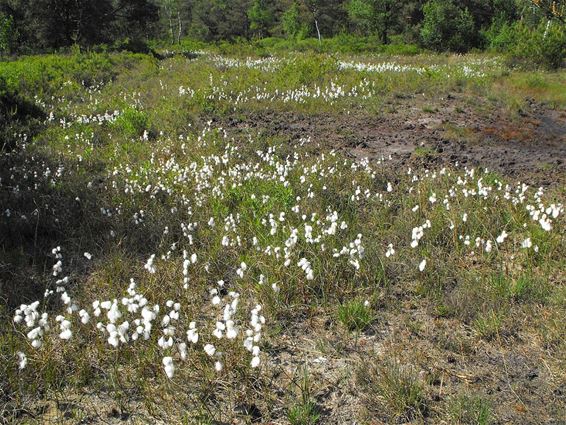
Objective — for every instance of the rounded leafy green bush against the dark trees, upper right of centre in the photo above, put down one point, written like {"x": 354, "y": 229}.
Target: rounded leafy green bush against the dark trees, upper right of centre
{"x": 447, "y": 27}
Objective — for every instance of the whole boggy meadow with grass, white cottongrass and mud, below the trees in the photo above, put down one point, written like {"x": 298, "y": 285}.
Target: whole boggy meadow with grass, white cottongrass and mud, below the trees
{"x": 300, "y": 238}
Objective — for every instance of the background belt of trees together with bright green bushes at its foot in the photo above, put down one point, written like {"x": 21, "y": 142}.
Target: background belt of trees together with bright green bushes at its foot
{"x": 531, "y": 32}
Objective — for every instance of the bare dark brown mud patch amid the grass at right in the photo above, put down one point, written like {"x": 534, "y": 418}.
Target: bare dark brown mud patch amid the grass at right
{"x": 530, "y": 147}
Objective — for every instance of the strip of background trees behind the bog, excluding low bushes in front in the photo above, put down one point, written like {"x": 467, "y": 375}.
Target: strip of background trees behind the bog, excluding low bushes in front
{"x": 455, "y": 25}
